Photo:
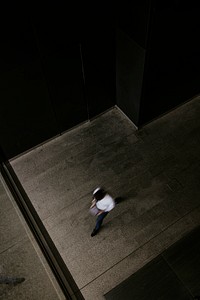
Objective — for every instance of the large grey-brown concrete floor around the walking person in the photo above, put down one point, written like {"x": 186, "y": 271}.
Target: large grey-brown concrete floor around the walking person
{"x": 157, "y": 172}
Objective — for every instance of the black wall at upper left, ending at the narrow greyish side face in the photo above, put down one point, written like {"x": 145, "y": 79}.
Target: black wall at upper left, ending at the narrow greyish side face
{"x": 57, "y": 70}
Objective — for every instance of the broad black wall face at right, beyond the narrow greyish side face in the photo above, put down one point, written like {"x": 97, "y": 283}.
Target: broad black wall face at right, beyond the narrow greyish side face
{"x": 171, "y": 75}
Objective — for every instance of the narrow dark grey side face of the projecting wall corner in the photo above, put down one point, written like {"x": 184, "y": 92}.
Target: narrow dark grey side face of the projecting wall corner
{"x": 130, "y": 60}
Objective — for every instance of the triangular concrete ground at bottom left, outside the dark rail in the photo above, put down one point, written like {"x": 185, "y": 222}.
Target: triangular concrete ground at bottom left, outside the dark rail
{"x": 24, "y": 274}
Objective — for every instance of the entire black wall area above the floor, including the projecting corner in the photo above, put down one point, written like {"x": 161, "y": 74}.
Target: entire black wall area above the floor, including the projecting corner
{"x": 62, "y": 64}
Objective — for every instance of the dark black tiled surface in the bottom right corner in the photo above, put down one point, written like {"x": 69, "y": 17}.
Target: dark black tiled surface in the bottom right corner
{"x": 172, "y": 275}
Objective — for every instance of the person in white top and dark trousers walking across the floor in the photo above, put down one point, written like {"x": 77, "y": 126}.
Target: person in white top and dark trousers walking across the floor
{"x": 104, "y": 203}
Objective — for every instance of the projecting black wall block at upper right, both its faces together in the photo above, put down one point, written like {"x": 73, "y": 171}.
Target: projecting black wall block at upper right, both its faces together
{"x": 158, "y": 57}
